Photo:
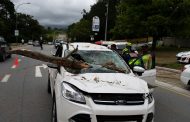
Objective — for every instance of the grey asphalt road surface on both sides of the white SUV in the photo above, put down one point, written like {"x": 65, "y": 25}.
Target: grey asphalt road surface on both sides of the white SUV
{"x": 24, "y": 97}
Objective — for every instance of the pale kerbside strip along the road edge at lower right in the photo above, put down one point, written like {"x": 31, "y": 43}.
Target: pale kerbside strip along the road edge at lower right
{"x": 173, "y": 88}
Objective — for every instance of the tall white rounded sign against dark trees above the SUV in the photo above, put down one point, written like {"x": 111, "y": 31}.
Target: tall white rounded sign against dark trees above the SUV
{"x": 95, "y": 24}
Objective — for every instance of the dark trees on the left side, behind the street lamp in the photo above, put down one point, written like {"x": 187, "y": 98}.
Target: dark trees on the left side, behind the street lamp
{"x": 28, "y": 27}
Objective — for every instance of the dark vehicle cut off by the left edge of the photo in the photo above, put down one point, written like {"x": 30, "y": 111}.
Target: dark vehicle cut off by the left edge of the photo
{"x": 4, "y": 48}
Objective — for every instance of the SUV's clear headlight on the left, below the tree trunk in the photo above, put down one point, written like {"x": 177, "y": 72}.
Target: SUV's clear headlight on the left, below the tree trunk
{"x": 72, "y": 94}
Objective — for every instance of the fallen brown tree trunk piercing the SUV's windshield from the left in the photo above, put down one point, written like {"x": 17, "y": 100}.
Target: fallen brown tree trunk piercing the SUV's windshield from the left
{"x": 51, "y": 59}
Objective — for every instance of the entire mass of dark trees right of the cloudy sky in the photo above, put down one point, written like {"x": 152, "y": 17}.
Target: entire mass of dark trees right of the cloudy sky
{"x": 138, "y": 18}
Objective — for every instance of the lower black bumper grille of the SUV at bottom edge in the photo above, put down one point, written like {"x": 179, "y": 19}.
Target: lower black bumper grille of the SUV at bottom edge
{"x": 136, "y": 118}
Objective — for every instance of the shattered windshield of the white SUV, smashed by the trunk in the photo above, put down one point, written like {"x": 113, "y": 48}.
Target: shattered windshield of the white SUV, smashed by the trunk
{"x": 100, "y": 62}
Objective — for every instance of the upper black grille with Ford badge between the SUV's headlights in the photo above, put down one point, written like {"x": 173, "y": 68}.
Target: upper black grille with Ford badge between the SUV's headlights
{"x": 118, "y": 99}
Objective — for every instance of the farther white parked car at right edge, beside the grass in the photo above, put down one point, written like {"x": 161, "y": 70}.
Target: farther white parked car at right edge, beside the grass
{"x": 183, "y": 57}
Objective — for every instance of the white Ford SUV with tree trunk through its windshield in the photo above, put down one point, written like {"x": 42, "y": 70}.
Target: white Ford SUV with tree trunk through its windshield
{"x": 100, "y": 93}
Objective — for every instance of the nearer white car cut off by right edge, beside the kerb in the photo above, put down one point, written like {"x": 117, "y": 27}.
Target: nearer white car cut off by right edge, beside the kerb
{"x": 185, "y": 75}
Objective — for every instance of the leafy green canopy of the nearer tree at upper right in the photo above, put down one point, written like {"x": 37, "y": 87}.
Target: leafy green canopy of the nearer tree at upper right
{"x": 136, "y": 18}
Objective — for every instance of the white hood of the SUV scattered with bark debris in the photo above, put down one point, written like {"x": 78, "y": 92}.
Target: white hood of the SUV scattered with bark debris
{"x": 107, "y": 83}
